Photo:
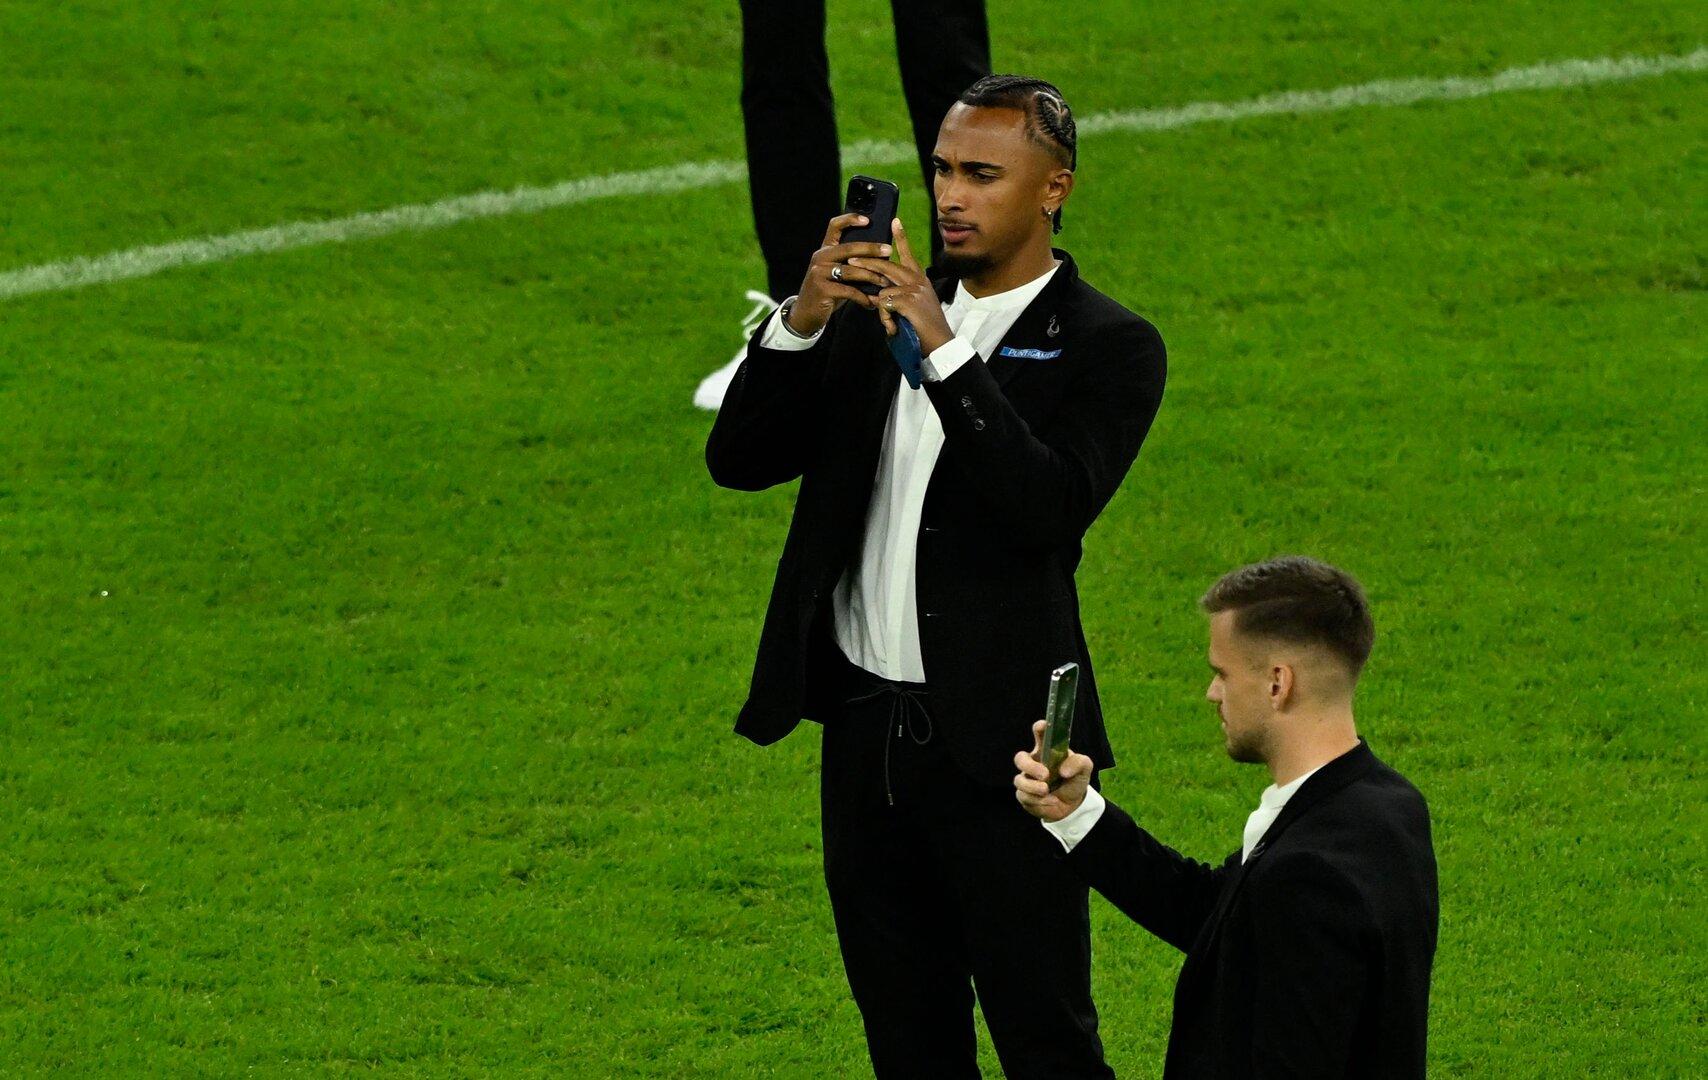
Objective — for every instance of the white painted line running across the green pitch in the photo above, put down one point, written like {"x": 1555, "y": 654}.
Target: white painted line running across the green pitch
{"x": 418, "y": 218}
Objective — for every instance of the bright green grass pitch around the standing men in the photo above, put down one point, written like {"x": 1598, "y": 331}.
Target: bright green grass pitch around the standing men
{"x": 373, "y": 631}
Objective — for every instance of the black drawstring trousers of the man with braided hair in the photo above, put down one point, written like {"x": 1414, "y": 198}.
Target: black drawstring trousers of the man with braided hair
{"x": 942, "y": 888}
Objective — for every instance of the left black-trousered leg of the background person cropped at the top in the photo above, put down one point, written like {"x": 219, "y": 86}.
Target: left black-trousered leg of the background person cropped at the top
{"x": 795, "y": 168}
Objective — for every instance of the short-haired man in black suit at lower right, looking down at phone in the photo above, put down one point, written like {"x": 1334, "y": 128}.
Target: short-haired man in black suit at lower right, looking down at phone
{"x": 1309, "y": 951}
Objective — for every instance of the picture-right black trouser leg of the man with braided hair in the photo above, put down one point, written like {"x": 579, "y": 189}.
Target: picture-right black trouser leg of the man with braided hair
{"x": 1026, "y": 924}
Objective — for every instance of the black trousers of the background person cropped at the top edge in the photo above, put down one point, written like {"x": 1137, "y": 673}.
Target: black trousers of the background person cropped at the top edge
{"x": 795, "y": 170}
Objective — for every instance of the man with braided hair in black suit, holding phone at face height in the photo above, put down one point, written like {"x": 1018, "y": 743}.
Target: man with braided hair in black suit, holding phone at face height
{"x": 927, "y": 587}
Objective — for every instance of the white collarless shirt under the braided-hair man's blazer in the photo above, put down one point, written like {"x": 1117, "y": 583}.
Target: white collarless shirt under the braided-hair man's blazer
{"x": 875, "y": 611}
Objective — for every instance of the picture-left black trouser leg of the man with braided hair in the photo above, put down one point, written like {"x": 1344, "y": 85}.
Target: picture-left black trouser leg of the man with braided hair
{"x": 894, "y": 912}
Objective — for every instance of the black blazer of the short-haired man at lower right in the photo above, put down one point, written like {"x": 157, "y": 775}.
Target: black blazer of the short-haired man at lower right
{"x": 1313, "y": 958}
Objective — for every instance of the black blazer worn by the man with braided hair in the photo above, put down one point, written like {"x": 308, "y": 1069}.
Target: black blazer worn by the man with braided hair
{"x": 1036, "y": 443}
